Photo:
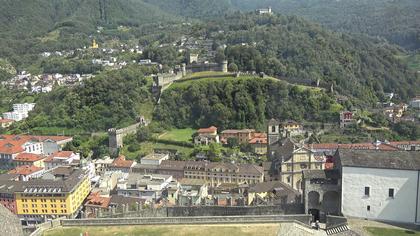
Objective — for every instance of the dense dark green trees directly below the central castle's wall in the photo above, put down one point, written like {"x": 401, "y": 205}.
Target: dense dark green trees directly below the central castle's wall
{"x": 241, "y": 103}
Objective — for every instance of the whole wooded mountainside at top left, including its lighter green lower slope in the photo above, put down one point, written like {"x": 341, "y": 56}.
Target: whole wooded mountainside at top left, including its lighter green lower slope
{"x": 32, "y": 26}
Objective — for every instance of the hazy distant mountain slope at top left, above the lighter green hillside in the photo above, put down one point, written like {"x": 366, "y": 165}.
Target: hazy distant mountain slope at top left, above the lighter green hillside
{"x": 36, "y": 17}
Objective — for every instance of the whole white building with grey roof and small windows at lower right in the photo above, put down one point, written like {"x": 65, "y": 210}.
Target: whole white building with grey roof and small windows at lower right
{"x": 380, "y": 185}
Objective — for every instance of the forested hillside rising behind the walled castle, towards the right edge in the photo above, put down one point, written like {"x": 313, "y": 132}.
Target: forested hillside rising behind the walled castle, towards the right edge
{"x": 290, "y": 47}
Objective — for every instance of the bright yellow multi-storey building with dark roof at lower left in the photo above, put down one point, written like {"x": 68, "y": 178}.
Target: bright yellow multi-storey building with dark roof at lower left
{"x": 57, "y": 195}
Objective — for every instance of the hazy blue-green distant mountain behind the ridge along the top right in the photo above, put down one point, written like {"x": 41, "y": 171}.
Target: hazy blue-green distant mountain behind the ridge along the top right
{"x": 397, "y": 21}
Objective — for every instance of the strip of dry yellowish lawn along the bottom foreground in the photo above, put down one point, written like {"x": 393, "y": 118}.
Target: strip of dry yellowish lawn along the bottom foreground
{"x": 173, "y": 230}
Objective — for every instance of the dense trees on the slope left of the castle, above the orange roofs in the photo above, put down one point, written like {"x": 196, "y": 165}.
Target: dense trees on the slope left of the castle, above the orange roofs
{"x": 108, "y": 100}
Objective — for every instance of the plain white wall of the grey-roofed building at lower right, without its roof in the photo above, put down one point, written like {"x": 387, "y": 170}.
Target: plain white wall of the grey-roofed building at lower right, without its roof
{"x": 377, "y": 204}
